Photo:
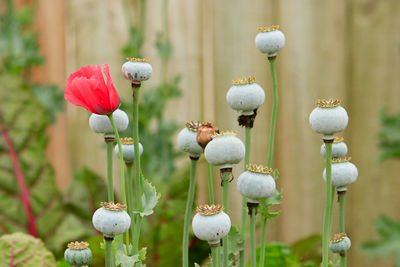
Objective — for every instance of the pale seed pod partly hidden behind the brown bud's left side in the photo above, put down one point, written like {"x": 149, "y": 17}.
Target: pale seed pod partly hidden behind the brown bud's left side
{"x": 187, "y": 140}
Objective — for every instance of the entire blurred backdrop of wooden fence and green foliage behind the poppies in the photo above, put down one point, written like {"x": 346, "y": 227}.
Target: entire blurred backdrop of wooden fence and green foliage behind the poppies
{"x": 342, "y": 49}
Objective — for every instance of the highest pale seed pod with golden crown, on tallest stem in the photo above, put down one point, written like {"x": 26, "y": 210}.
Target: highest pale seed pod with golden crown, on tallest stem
{"x": 270, "y": 40}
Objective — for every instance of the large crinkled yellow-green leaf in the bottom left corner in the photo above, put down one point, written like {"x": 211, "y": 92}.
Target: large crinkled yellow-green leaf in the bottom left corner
{"x": 21, "y": 249}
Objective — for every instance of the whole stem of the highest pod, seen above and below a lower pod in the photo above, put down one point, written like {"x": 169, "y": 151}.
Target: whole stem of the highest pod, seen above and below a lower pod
{"x": 271, "y": 145}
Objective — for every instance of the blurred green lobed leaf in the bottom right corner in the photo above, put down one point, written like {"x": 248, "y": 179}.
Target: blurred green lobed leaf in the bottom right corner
{"x": 389, "y": 242}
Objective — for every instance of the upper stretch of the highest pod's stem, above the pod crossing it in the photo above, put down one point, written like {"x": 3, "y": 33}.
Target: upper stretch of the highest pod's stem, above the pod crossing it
{"x": 274, "y": 110}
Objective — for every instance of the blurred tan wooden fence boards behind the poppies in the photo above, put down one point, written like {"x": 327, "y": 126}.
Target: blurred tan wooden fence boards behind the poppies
{"x": 342, "y": 49}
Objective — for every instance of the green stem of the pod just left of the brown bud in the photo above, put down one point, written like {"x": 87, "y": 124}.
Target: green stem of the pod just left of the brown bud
{"x": 188, "y": 213}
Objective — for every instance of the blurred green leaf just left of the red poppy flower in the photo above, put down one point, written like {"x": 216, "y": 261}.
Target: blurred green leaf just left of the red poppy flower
{"x": 51, "y": 99}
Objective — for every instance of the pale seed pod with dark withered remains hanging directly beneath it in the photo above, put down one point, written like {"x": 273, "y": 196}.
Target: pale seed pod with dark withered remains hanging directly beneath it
{"x": 245, "y": 95}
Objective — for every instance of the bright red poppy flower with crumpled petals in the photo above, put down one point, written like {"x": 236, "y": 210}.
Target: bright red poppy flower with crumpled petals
{"x": 87, "y": 88}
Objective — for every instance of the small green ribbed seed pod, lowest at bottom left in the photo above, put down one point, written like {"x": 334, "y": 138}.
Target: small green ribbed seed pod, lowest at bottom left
{"x": 78, "y": 253}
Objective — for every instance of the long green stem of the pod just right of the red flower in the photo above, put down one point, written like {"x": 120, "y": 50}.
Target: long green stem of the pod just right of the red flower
{"x": 138, "y": 177}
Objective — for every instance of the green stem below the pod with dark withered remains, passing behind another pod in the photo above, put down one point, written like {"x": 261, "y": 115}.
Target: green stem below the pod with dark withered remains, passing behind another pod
{"x": 244, "y": 200}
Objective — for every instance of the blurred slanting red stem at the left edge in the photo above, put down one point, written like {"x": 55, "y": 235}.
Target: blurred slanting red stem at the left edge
{"x": 20, "y": 179}
